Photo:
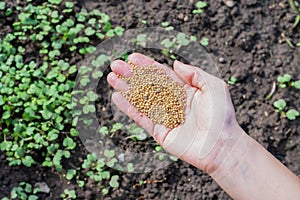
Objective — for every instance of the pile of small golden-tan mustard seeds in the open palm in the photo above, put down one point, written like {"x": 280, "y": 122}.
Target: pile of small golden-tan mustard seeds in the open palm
{"x": 156, "y": 95}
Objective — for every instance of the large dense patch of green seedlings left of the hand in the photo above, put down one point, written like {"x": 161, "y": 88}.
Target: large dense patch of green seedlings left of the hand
{"x": 36, "y": 91}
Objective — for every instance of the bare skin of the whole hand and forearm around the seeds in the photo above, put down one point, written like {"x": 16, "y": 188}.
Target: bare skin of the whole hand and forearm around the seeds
{"x": 211, "y": 139}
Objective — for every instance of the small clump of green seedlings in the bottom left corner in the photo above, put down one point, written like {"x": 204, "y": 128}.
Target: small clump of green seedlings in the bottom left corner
{"x": 24, "y": 191}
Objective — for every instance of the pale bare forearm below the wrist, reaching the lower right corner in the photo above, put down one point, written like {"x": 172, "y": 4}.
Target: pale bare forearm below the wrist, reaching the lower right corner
{"x": 248, "y": 171}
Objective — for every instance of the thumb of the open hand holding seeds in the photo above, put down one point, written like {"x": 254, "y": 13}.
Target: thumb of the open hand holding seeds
{"x": 189, "y": 74}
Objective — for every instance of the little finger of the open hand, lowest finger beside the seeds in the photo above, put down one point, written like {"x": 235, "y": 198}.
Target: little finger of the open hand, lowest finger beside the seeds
{"x": 125, "y": 106}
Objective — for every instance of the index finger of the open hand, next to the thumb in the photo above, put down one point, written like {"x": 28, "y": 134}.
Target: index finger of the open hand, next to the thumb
{"x": 144, "y": 61}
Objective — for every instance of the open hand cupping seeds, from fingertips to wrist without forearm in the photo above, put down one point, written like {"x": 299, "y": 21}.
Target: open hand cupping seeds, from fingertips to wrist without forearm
{"x": 209, "y": 111}
